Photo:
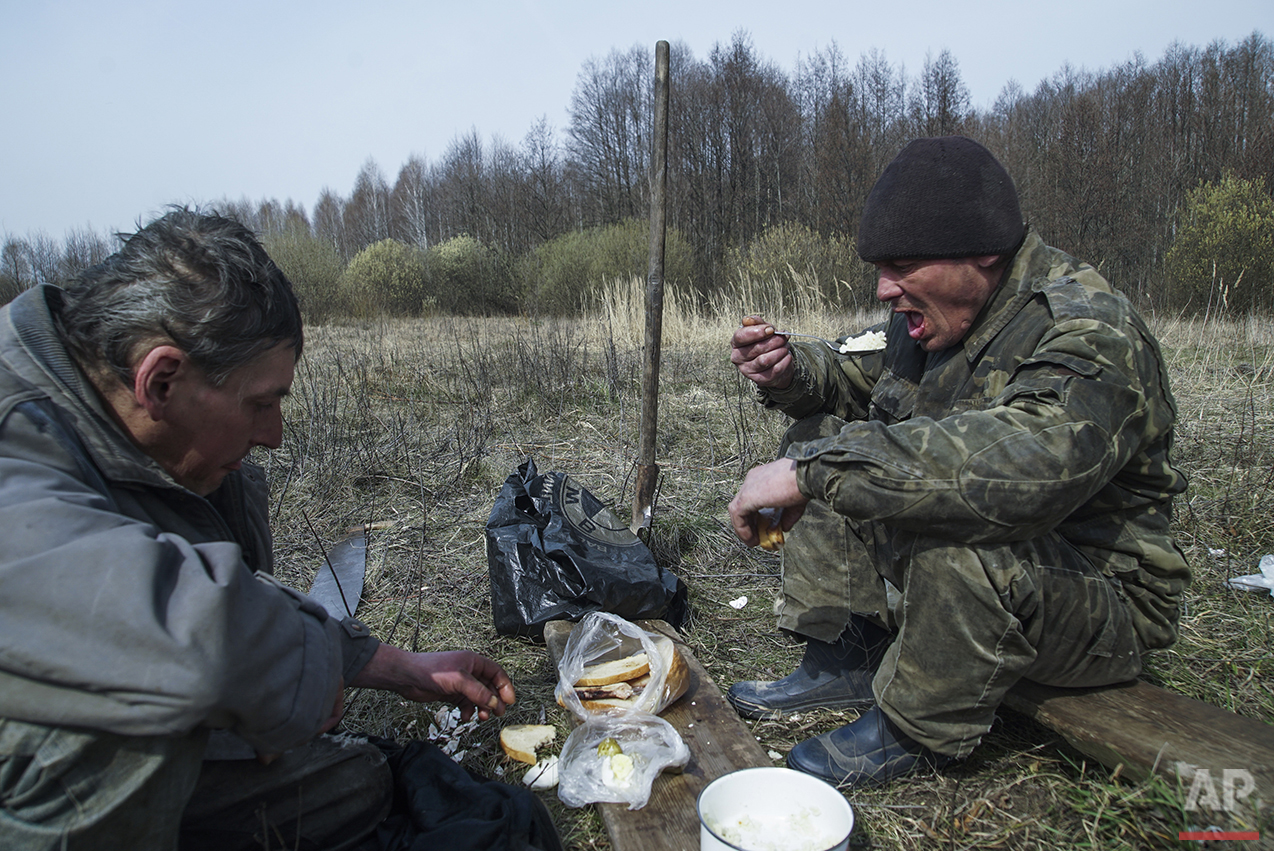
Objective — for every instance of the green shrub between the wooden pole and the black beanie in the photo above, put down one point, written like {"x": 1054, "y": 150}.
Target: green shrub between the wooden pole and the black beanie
{"x": 791, "y": 258}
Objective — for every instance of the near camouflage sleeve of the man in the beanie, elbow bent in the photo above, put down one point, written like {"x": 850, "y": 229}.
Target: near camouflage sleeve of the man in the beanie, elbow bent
{"x": 1071, "y": 418}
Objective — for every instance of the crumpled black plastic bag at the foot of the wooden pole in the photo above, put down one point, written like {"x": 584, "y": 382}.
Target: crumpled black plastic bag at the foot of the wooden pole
{"x": 556, "y": 554}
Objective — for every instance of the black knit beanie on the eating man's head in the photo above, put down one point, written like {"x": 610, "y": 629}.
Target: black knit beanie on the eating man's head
{"x": 941, "y": 198}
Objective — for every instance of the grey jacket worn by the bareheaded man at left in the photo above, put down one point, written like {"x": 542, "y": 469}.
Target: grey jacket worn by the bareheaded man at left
{"x": 129, "y": 604}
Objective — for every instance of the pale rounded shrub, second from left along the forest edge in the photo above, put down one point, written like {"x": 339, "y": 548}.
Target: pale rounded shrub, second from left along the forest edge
{"x": 387, "y": 277}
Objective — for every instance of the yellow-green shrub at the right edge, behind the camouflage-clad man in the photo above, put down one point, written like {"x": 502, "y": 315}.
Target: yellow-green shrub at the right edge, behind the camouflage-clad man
{"x": 1224, "y": 253}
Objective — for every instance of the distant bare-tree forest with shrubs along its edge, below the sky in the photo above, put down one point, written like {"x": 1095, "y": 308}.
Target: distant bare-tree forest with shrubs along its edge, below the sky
{"x": 1160, "y": 173}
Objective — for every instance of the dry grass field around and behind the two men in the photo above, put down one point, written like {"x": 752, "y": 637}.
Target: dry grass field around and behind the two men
{"x": 416, "y": 425}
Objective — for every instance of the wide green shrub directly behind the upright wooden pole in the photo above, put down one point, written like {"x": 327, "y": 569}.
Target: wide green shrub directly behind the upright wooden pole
{"x": 569, "y": 275}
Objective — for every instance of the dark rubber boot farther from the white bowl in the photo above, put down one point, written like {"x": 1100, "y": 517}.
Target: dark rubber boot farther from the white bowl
{"x": 835, "y": 677}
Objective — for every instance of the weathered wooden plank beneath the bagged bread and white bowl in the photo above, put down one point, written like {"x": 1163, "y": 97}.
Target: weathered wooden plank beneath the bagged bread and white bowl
{"x": 719, "y": 743}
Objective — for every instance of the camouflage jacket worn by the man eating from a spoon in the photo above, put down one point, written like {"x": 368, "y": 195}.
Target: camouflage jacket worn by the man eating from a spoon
{"x": 1053, "y": 415}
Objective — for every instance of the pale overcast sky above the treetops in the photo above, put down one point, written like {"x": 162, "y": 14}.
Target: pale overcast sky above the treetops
{"x": 110, "y": 111}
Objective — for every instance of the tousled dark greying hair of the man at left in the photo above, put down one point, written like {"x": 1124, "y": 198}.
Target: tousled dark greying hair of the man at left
{"x": 198, "y": 281}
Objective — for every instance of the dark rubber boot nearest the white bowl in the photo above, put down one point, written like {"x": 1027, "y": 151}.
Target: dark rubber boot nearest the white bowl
{"x": 868, "y": 752}
